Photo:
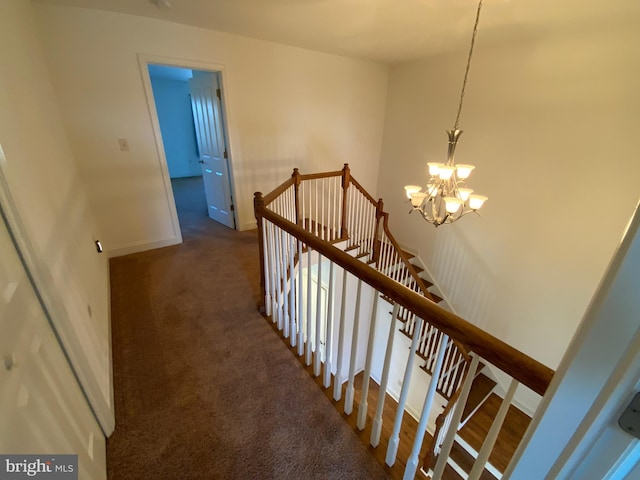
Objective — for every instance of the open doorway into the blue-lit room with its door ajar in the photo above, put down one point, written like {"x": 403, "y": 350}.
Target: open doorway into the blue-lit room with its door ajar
{"x": 190, "y": 116}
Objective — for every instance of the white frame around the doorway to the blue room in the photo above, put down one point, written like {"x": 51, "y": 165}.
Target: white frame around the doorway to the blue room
{"x": 143, "y": 62}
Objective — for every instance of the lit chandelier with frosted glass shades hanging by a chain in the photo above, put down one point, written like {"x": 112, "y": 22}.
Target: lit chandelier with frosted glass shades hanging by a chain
{"x": 446, "y": 197}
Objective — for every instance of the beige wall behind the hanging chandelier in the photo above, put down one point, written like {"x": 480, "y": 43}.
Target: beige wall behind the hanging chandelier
{"x": 550, "y": 122}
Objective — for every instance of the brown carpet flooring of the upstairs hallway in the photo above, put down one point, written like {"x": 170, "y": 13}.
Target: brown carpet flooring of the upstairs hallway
{"x": 204, "y": 389}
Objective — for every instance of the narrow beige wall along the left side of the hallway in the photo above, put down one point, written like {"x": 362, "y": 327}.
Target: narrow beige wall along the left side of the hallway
{"x": 59, "y": 229}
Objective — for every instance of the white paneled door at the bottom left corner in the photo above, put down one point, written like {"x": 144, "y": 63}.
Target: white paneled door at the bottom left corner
{"x": 42, "y": 409}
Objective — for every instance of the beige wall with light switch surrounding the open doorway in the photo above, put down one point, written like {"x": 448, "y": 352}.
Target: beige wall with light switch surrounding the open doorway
{"x": 287, "y": 107}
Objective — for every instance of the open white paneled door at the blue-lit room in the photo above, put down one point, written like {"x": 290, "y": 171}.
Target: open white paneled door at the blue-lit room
{"x": 207, "y": 116}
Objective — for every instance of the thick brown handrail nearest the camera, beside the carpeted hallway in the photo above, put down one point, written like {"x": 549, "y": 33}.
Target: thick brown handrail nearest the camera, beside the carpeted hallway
{"x": 518, "y": 365}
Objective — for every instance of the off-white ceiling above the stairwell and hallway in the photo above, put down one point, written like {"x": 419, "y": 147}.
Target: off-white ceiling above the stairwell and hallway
{"x": 389, "y": 31}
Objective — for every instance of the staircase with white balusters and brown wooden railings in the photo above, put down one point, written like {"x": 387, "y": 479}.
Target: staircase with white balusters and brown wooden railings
{"x": 322, "y": 236}
